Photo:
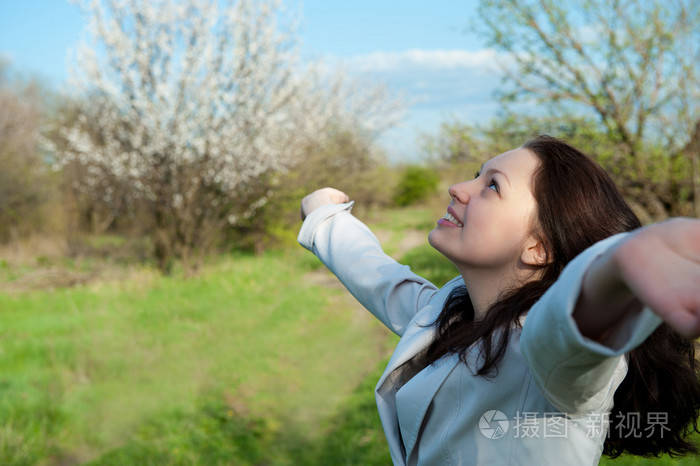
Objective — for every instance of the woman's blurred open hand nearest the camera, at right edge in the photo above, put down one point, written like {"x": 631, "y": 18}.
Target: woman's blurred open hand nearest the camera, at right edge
{"x": 660, "y": 264}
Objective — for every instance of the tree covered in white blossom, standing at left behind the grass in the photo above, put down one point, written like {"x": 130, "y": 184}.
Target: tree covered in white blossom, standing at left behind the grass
{"x": 193, "y": 105}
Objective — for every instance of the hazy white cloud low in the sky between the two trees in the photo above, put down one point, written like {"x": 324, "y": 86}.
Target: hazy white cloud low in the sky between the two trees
{"x": 440, "y": 84}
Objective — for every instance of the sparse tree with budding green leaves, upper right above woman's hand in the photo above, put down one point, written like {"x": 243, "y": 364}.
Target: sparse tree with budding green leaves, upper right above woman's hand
{"x": 633, "y": 64}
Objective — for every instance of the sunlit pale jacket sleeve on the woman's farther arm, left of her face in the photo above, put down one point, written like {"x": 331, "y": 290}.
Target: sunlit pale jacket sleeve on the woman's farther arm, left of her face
{"x": 348, "y": 248}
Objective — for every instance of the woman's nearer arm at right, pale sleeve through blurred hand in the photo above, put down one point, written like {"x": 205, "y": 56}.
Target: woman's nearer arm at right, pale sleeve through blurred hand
{"x": 607, "y": 301}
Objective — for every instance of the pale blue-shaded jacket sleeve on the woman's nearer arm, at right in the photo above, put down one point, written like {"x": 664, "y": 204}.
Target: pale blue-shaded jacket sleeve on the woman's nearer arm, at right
{"x": 578, "y": 375}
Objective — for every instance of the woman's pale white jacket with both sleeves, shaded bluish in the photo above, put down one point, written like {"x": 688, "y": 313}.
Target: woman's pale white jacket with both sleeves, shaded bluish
{"x": 554, "y": 388}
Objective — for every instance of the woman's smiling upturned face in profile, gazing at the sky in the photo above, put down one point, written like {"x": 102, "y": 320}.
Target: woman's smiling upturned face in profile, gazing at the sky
{"x": 490, "y": 217}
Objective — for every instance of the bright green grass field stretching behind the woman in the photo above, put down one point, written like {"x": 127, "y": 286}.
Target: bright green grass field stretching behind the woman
{"x": 260, "y": 360}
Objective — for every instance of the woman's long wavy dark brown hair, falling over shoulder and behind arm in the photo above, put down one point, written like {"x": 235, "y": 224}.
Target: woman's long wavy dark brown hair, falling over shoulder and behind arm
{"x": 578, "y": 205}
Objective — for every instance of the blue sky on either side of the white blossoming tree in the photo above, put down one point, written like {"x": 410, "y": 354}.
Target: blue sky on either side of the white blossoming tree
{"x": 420, "y": 48}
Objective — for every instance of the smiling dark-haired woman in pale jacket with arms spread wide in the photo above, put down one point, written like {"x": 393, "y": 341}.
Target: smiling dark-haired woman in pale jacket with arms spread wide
{"x": 550, "y": 347}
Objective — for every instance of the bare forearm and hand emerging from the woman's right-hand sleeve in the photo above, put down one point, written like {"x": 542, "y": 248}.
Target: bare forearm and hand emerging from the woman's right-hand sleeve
{"x": 657, "y": 266}
